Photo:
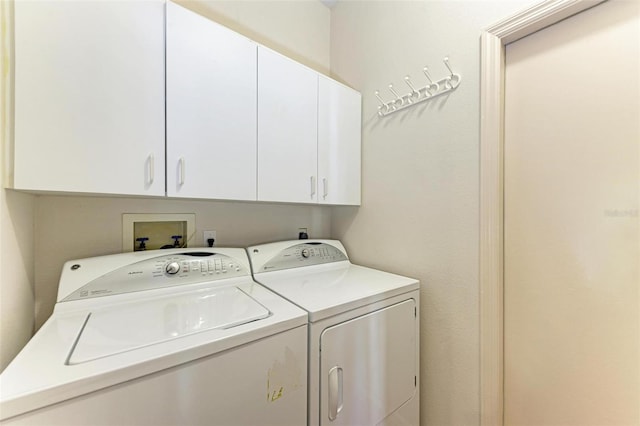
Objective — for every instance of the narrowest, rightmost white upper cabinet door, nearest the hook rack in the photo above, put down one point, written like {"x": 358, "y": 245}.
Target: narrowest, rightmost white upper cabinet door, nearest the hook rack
{"x": 339, "y": 129}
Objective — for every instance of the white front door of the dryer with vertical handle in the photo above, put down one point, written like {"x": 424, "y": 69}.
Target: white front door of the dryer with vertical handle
{"x": 368, "y": 366}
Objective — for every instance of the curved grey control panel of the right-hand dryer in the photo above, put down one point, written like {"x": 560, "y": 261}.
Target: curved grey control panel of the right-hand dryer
{"x": 304, "y": 254}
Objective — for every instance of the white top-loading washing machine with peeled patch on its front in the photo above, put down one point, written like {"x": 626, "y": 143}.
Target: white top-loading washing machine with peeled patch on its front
{"x": 165, "y": 337}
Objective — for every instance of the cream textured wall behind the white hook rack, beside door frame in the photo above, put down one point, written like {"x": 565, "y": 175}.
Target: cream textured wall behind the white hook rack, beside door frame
{"x": 419, "y": 213}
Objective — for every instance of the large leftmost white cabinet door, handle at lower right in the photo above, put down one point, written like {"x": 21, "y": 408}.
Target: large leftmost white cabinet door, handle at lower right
{"x": 89, "y": 96}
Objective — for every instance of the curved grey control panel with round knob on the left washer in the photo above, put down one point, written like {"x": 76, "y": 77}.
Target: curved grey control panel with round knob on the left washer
{"x": 162, "y": 271}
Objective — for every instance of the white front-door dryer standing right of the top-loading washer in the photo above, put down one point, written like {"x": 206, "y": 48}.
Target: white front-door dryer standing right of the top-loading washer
{"x": 363, "y": 332}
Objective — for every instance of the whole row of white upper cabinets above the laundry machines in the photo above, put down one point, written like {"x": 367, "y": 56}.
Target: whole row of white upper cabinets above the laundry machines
{"x": 97, "y": 83}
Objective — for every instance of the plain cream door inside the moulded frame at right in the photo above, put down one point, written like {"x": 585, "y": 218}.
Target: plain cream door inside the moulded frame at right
{"x": 572, "y": 227}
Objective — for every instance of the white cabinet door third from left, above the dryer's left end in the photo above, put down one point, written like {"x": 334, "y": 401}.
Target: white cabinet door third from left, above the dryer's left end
{"x": 287, "y": 129}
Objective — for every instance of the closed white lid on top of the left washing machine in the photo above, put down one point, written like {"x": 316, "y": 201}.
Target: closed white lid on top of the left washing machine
{"x": 121, "y": 328}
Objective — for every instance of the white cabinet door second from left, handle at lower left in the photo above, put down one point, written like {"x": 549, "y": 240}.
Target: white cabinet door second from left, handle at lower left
{"x": 211, "y": 109}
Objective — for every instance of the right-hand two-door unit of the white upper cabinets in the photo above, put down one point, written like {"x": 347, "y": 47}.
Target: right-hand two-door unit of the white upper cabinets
{"x": 308, "y": 135}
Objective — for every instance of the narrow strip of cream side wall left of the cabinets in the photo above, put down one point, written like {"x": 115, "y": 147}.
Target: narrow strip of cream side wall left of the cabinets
{"x": 16, "y": 224}
